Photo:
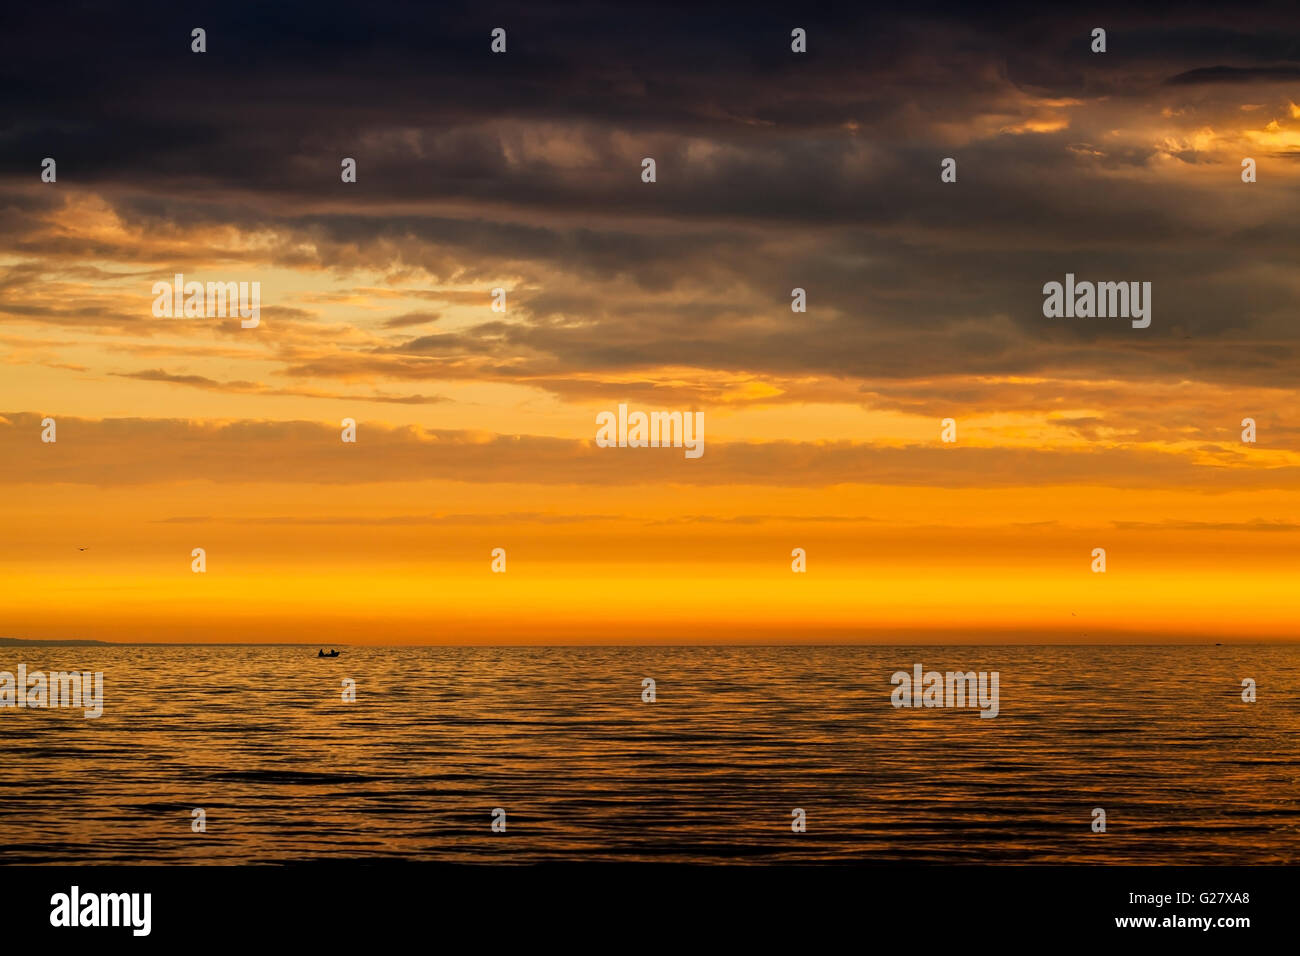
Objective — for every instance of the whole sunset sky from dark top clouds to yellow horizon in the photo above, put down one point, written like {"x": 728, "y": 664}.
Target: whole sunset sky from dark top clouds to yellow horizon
{"x": 774, "y": 171}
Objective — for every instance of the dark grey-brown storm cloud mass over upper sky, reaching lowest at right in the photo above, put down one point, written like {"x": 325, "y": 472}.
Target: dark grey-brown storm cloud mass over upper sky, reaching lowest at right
{"x": 774, "y": 172}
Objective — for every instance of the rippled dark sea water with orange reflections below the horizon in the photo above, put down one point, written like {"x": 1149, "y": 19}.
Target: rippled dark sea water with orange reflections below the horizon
{"x": 738, "y": 738}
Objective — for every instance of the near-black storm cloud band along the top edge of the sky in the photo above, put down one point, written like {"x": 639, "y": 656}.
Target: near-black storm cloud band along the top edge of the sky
{"x": 283, "y": 85}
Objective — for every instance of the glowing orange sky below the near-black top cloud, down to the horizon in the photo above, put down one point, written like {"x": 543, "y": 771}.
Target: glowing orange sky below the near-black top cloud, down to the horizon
{"x": 822, "y": 430}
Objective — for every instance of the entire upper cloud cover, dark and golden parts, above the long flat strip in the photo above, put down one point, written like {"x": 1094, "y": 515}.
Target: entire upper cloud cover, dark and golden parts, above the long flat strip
{"x": 775, "y": 171}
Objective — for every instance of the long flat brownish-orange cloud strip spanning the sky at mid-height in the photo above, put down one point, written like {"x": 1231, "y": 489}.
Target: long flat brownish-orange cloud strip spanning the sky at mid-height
{"x": 140, "y": 452}
